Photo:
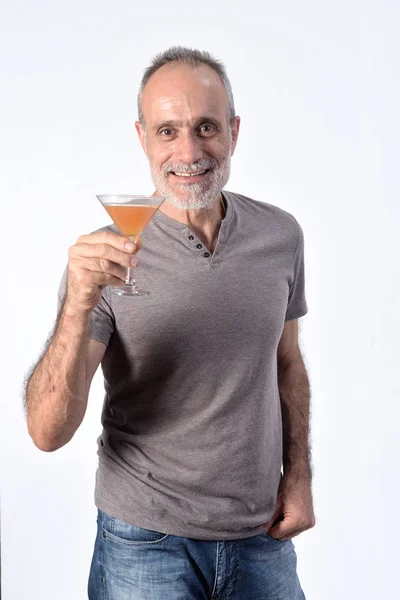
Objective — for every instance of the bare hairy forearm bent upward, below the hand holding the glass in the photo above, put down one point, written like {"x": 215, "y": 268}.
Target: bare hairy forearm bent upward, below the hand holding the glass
{"x": 56, "y": 394}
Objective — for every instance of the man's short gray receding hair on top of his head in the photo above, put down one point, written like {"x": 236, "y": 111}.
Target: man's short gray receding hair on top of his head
{"x": 190, "y": 57}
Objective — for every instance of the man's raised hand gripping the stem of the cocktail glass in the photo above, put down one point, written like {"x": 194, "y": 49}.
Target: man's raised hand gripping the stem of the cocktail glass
{"x": 95, "y": 261}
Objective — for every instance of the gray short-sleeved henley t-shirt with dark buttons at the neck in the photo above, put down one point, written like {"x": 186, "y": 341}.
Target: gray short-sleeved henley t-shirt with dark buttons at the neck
{"x": 192, "y": 432}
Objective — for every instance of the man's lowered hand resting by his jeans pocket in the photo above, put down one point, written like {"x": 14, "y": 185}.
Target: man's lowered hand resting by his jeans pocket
{"x": 294, "y": 509}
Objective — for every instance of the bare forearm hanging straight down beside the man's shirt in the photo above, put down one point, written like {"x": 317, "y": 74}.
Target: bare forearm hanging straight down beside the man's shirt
{"x": 294, "y": 393}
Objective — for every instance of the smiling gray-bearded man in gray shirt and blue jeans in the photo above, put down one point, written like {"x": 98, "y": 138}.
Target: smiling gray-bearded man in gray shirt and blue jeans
{"x": 207, "y": 396}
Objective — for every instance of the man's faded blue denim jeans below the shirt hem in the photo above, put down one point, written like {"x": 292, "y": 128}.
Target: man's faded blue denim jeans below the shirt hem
{"x": 131, "y": 563}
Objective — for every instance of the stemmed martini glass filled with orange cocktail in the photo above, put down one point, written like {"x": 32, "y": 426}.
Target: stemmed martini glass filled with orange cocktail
{"x": 131, "y": 215}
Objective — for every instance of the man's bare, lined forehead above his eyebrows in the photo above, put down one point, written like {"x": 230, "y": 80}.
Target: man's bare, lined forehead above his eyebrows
{"x": 184, "y": 92}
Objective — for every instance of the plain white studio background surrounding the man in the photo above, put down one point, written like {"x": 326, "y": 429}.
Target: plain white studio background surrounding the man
{"x": 316, "y": 85}
